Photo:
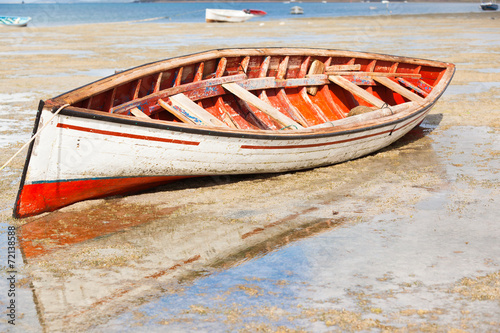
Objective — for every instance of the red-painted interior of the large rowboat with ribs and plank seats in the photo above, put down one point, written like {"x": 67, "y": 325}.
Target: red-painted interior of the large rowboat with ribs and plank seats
{"x": 266, "y": 92}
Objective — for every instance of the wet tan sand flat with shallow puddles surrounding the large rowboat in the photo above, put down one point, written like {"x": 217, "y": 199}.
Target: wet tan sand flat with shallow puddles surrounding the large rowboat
{"x": 403, "y": 240}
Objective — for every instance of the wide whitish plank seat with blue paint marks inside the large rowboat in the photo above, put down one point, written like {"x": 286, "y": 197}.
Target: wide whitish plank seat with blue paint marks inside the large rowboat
{"x": 190, "y": 112}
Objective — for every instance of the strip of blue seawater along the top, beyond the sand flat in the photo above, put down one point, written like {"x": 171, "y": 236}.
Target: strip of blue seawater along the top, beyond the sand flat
{"x": 61, "y": 14}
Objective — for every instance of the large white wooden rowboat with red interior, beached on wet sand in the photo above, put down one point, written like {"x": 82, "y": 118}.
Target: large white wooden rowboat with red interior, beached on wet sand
{"x": 222, "y": 112}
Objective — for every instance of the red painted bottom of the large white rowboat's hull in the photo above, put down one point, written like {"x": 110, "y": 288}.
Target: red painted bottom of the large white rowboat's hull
{"x": 46, "y": 197}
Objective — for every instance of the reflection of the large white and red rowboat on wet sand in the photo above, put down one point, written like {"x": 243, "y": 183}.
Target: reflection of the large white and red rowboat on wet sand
{"x": 91, "y": 264}
